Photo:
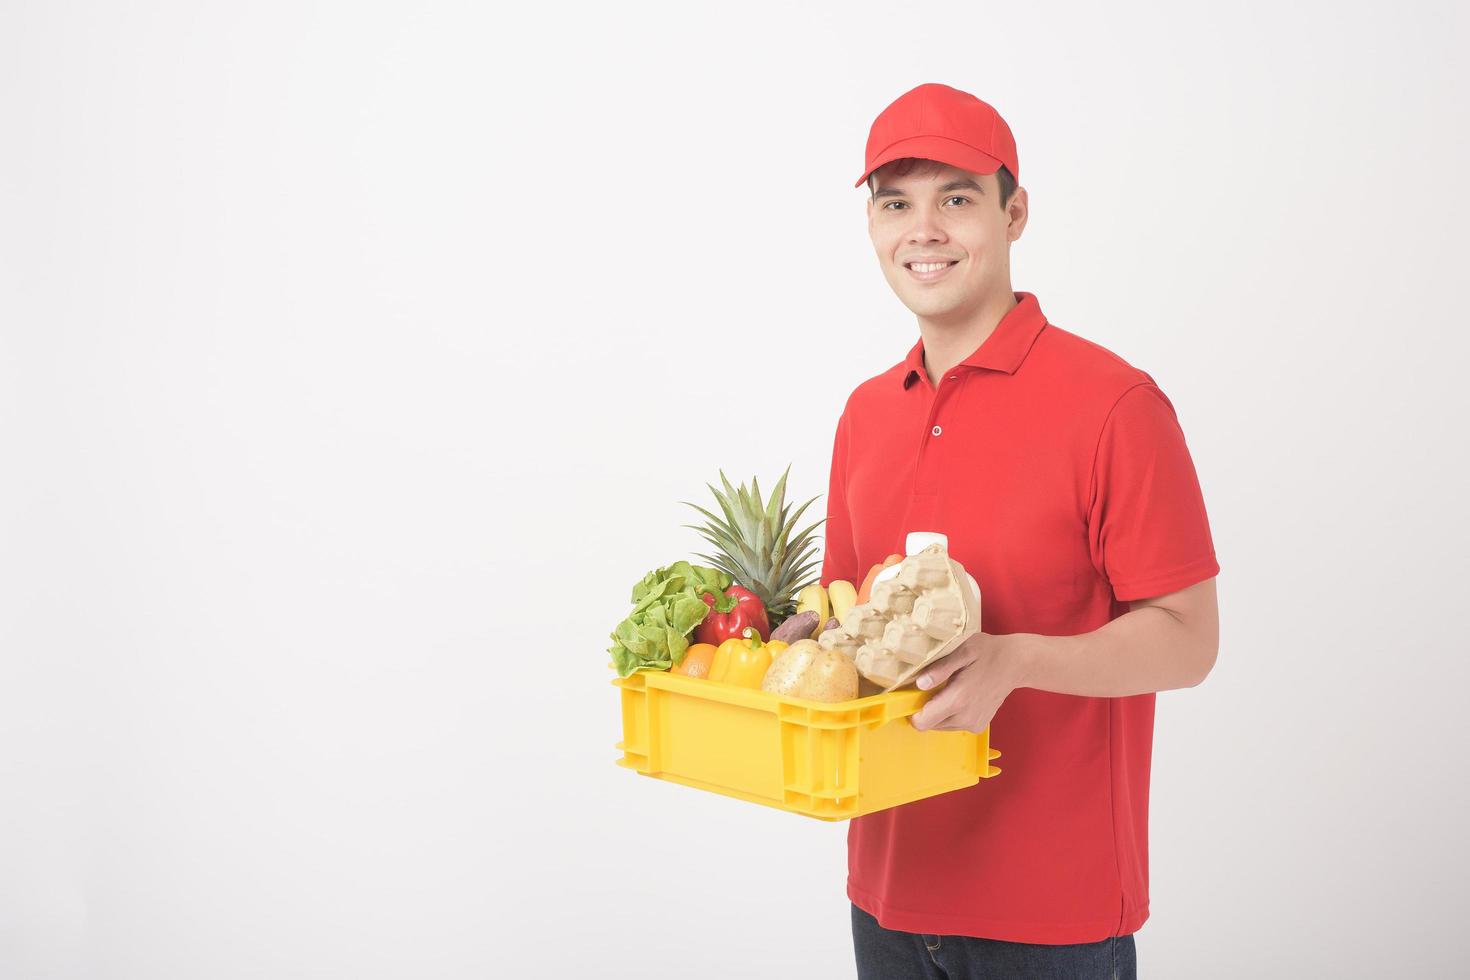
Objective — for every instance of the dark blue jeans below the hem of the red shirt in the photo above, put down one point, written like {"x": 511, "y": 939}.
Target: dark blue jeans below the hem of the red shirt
{"x": 884, "y": 954}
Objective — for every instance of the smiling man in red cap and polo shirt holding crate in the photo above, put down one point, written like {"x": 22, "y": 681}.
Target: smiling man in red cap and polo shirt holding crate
{"x": 1062, "y": 478}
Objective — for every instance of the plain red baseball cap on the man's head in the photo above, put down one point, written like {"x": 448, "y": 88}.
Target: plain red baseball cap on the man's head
{"x": 937, "y": 123}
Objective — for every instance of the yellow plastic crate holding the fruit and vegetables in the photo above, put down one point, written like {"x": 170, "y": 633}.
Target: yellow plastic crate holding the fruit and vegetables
{"x": 831, "y": 762}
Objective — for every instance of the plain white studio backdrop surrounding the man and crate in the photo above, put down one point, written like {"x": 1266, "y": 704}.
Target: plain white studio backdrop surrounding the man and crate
{"x": 356, "y": 359}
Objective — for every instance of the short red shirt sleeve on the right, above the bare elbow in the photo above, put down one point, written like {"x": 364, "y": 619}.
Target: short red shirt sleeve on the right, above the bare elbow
{"x": 1147, "y": 528}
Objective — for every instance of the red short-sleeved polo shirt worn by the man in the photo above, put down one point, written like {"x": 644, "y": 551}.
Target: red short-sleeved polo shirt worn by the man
{"x": 1062, "y": 478}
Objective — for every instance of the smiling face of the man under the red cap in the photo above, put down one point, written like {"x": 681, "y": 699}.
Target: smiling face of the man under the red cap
{"x": 943, "y": 214}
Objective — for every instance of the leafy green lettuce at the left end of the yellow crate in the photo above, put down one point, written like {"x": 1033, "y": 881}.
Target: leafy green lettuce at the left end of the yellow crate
{"x": 667, "y": 609}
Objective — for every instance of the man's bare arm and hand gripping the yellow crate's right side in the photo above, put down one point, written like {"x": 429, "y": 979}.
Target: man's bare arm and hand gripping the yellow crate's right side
{"x": 1161, "y": 644}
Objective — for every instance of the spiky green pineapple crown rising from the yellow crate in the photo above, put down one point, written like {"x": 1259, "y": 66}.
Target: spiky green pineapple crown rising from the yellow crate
{"x": 756, "y": 547}
